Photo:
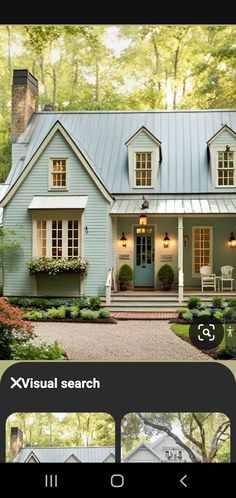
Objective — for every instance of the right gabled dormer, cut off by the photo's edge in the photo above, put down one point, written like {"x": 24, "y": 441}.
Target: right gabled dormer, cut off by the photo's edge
{"x": 222, "y": 147}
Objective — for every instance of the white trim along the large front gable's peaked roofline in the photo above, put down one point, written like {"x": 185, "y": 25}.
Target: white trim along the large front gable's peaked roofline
{"x": 44, "y": 143}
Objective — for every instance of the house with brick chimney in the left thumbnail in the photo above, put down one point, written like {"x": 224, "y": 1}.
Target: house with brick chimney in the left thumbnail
{"x": 36, "y": 454}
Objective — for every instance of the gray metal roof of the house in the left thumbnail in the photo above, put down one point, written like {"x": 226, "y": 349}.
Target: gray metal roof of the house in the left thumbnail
{"x": 90, "y": 454}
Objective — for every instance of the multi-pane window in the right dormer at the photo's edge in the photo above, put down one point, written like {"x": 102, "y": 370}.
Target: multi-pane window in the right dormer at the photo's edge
{"x": 226, "y": 168}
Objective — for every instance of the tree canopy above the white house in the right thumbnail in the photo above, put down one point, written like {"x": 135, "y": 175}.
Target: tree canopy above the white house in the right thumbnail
{"x": 204, "y": 436}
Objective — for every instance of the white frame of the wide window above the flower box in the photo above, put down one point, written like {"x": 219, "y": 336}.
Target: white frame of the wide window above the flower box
{"x": 56, "y": 215}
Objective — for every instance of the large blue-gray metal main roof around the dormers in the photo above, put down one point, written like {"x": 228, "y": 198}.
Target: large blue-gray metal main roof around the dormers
{"x": 102, "y": 137}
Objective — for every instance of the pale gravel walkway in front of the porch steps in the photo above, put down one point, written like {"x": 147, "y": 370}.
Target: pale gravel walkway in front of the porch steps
{"x": 132, "y": 340}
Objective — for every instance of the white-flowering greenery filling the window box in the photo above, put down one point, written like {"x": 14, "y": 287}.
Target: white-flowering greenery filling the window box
{"x": 53, "y": 266}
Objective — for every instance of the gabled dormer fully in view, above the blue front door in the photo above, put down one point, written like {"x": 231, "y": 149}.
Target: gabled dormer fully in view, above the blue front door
{"x": 144, "y": 155}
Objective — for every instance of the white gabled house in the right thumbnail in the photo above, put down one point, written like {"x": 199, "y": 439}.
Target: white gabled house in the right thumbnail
{"x": 164, "y": 449}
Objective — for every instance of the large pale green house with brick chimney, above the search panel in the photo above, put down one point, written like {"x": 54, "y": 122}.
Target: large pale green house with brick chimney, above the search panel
{"x": 135, "y": 187}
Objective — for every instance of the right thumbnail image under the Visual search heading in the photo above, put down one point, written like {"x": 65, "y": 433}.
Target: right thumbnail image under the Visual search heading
{"x": 175, "y": 438}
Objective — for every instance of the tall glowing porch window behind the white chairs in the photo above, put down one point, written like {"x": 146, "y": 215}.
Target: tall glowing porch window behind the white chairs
{"x": 202, "y": 248}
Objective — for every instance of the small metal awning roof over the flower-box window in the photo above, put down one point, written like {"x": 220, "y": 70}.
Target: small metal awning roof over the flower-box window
{"x": 58, "y": 202}
